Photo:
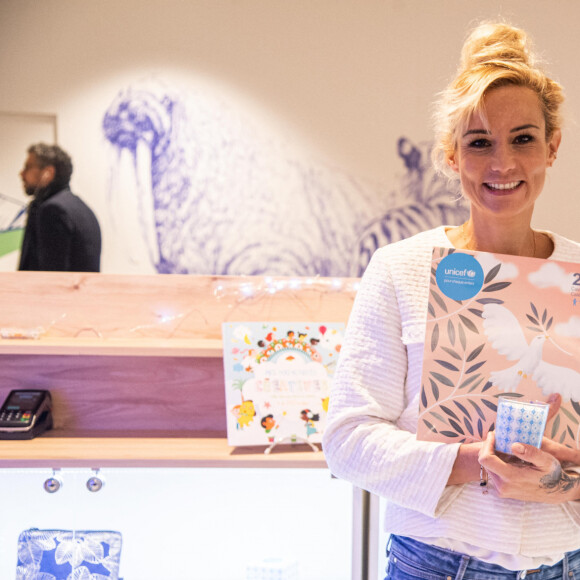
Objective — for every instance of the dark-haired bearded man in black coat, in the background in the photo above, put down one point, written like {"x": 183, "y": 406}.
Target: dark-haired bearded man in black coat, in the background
{"x": 62, "y": 233}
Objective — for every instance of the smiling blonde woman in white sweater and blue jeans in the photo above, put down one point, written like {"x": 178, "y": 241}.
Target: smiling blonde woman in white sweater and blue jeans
{"x": 499, "y": 132}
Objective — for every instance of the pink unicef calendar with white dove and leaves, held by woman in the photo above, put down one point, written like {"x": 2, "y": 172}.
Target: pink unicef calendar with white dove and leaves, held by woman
{"x": 499, "y": 324}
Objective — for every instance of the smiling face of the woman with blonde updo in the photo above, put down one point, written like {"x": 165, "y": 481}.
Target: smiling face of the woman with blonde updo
{"x": 502, "y": 167}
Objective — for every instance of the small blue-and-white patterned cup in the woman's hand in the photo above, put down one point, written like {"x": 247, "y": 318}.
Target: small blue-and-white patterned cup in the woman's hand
{"x": 519, "y": 421}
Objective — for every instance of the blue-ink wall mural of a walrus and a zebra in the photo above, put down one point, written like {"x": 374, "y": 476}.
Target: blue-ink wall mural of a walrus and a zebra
{"x": 211, "y": 192}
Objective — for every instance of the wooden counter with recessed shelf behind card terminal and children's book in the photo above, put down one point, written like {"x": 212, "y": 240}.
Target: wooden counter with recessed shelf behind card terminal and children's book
{"x": 134, "y": 363}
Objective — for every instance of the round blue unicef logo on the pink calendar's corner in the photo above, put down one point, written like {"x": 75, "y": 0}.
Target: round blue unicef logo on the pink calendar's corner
{"x": 459, "y": 276}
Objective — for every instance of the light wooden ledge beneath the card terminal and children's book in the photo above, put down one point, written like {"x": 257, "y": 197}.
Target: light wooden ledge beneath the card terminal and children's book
{"x": 94, "y": 453}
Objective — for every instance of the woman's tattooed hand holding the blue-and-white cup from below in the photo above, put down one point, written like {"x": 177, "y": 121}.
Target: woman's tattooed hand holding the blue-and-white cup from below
{"x": 541, "y": 479}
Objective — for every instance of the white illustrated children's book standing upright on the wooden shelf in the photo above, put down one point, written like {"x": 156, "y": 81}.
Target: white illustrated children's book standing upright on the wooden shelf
{"x": 278, "y": 377}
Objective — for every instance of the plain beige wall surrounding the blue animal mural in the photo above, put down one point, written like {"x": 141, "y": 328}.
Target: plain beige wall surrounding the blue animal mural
{"x": 346, "y": 78}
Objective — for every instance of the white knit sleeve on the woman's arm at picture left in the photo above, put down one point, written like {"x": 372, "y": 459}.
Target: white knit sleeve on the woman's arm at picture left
{"x": 369, "y": 439}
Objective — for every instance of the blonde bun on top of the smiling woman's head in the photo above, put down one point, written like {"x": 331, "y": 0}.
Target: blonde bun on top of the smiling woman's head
{"x": 494, "y": 43}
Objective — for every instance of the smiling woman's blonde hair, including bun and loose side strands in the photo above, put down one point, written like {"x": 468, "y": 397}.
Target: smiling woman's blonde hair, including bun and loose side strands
{"x": 494, "y": 55}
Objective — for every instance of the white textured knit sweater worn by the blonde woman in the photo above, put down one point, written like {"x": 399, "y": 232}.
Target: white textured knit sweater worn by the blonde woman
{"x": 370, "y": 434}
